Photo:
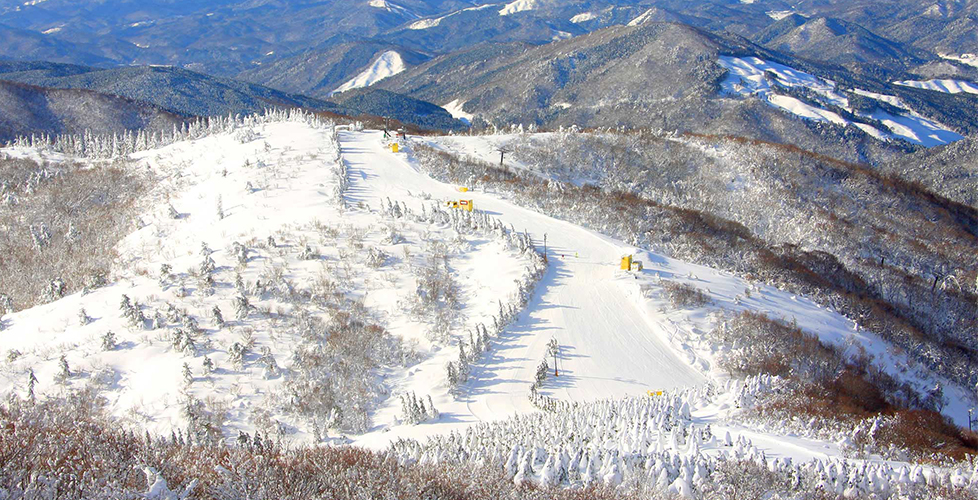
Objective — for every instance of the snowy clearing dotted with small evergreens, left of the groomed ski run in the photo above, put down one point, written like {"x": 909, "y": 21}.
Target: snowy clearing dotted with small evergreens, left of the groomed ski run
{"x": 255, "y": 208}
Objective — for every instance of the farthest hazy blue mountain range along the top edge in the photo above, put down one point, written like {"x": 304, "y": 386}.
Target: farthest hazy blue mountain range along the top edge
{"x": 310, "y": 44}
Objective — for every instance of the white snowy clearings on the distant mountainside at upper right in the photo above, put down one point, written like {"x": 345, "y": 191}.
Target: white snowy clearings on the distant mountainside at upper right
{"x": 757, "y": 77}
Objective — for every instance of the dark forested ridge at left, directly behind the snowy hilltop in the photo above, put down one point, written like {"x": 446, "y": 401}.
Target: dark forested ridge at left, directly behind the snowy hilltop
{"x": 38, "y": 96}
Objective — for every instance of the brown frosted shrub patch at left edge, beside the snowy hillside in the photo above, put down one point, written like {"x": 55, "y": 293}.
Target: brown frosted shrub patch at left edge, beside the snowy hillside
{"x": 79, "y": 214}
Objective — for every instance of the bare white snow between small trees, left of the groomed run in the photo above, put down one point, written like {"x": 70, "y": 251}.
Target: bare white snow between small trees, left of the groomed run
{"x": 286, "y": 191}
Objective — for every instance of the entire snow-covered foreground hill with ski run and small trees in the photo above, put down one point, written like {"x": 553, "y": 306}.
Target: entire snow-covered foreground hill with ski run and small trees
{"x": 296, "y": 279}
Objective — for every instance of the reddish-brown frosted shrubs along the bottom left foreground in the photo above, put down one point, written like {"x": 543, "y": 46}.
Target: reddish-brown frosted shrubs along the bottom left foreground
{"x": 69, "y": 448}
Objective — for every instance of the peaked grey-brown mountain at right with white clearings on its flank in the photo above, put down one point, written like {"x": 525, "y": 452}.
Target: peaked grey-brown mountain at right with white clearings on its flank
{"x": 669, "y": 76}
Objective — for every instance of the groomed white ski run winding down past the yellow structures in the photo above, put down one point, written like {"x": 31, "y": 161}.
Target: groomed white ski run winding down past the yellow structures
{"x": 608, "y": 345}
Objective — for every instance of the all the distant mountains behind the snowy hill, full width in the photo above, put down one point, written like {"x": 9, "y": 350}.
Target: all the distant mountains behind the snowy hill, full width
{"x": 653, "y": 63}
